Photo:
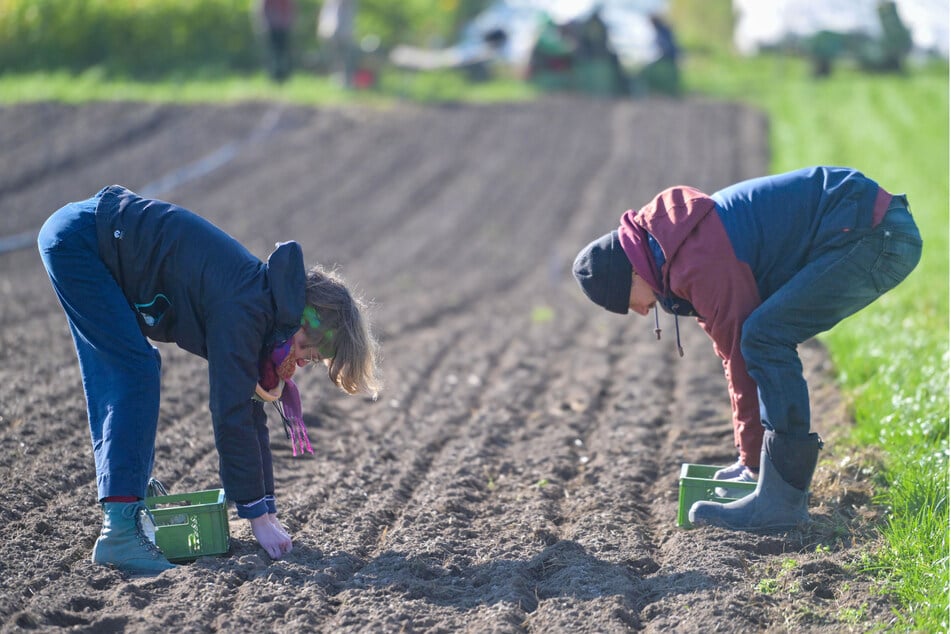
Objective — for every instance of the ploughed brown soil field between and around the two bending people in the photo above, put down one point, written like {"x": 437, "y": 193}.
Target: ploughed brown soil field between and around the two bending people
{"x": 519, "y": 472}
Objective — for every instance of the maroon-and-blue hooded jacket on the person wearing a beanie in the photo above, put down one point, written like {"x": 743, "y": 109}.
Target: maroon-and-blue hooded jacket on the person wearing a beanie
{"x": 727, "y": 252}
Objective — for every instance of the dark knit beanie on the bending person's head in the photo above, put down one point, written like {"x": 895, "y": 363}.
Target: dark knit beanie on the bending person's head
{"x": 604, "y": 273}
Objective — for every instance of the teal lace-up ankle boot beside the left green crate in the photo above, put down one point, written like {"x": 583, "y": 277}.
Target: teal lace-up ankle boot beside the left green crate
{"x": 123, "y": 543}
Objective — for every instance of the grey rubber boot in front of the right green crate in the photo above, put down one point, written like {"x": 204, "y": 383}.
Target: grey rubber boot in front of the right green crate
{"x": 782, "y": 492}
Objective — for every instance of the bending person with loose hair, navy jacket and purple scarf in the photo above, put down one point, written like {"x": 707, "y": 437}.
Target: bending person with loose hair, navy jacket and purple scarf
{"x": 128, "y": 269}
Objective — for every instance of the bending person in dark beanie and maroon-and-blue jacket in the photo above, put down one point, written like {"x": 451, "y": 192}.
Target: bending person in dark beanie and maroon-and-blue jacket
{"x": 763, "y": 265}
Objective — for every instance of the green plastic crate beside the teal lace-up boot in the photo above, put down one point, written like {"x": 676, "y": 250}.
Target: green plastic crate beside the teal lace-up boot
{"x": 191, "y": 525}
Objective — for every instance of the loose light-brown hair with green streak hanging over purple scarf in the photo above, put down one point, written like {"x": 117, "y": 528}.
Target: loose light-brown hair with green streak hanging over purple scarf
{"x": 354, "y": 365}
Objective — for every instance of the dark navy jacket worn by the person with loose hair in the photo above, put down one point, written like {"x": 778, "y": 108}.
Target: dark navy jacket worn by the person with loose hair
{"x": 192, "y": 284}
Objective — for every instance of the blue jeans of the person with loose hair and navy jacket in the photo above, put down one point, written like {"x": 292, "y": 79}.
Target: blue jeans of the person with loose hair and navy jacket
{"x": 120, "y": 369}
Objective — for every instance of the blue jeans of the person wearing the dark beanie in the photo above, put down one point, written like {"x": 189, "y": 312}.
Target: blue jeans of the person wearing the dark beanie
{"x": 829, "y": 288}
